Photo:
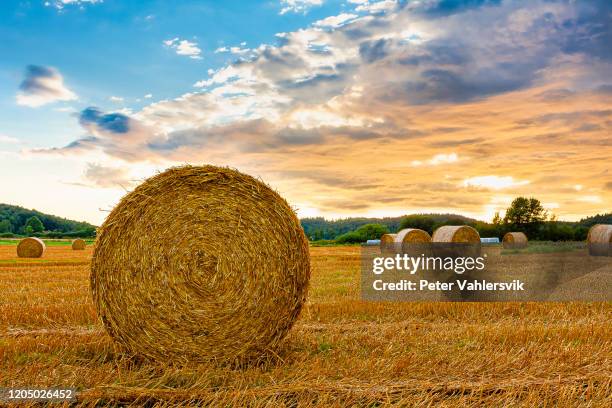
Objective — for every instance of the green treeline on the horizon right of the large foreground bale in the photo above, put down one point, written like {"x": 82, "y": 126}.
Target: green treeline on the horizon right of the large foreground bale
{"x": 524, "y": 214}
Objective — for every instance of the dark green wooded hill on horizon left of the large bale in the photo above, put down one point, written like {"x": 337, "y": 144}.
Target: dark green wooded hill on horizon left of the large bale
{"x": 17, "y": 221}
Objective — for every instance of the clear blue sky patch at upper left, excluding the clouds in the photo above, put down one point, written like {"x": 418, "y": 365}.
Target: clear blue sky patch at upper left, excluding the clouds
{"x": 114, "y": 48}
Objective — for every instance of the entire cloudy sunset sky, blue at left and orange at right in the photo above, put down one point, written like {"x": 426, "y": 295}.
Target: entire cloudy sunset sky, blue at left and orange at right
{"x": 346, "y": 108}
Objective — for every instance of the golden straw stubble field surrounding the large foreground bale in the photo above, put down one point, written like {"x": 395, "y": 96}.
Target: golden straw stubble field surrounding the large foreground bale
{"x": 342, "y": 351}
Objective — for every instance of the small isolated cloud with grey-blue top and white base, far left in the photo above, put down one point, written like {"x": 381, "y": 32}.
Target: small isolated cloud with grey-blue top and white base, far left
{"x": 43, "y": 85}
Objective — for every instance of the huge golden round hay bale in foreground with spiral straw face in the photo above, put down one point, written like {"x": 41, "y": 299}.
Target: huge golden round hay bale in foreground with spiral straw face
{"x": 200, "y": 263}
